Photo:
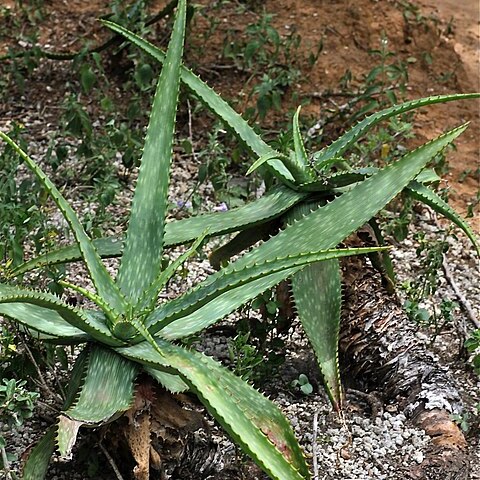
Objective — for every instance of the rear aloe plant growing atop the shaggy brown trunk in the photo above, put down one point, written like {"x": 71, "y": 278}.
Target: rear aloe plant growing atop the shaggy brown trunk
{"x": 303, "y": 176}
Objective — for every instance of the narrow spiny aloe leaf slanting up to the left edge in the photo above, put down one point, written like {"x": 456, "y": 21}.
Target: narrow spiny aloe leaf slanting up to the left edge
{"x": 101, "y": 279}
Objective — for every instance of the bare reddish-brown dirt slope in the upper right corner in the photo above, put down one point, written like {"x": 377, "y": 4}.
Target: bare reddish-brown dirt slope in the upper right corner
{"x": 351, "y": 29}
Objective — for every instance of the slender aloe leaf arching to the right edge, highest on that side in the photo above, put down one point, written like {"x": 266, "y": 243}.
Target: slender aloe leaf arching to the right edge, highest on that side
{"x": 347, "y": 140}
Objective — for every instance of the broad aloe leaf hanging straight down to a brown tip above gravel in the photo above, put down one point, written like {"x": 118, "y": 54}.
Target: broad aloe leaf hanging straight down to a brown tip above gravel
{"x": 317, "y": 293}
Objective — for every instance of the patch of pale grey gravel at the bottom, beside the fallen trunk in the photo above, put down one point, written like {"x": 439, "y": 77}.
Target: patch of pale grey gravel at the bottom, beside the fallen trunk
{"x": 355, "y": 446}
